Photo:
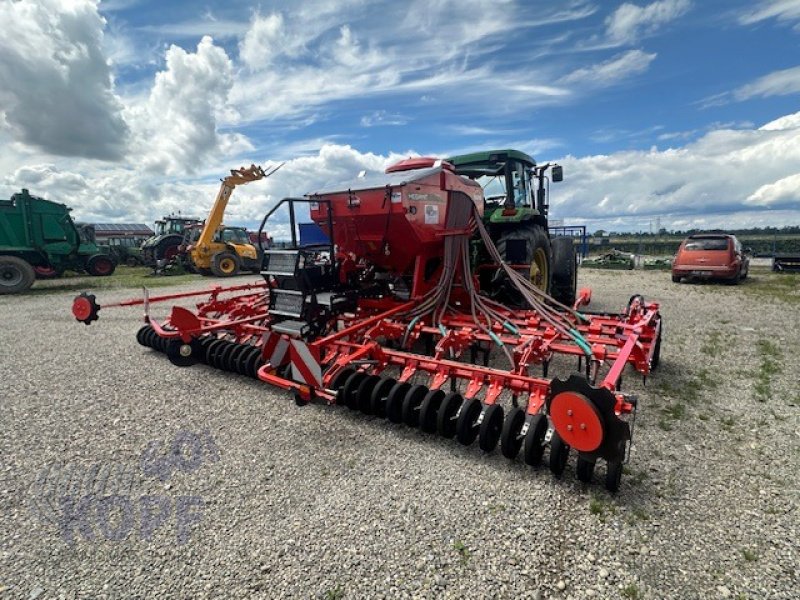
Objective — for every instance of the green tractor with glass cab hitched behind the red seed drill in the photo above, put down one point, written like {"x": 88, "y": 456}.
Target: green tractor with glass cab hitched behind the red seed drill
{"x": 516, "y": 214}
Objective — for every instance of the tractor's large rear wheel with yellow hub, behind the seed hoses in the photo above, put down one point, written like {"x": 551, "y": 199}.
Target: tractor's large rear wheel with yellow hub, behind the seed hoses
{"x": 527, "y": 243}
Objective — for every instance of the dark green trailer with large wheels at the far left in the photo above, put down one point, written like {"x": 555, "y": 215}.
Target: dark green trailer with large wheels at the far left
{"x": 38, "y": 238}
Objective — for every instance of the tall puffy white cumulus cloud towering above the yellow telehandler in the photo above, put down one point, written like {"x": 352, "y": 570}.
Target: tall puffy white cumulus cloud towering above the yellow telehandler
{"x": 177, "y": 126}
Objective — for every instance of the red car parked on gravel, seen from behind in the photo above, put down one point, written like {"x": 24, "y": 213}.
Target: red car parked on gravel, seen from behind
{"x": 710, "y": 256}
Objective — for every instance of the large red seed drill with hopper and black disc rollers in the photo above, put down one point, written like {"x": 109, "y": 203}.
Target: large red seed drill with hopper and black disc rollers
{"x": 389, "y": 319}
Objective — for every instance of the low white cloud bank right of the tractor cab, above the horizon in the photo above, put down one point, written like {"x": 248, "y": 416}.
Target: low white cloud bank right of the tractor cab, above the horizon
{"x": 723, "y": 172}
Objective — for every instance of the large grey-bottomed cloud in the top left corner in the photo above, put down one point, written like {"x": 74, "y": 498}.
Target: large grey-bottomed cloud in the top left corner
{"x": 56, "y": 89}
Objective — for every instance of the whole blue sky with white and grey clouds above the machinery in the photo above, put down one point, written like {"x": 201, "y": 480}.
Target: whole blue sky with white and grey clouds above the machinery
{"x": 686, "y": 110}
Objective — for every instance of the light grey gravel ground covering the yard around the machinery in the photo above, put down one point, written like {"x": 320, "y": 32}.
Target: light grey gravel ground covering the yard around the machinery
{"x": 321, "y": 502}
